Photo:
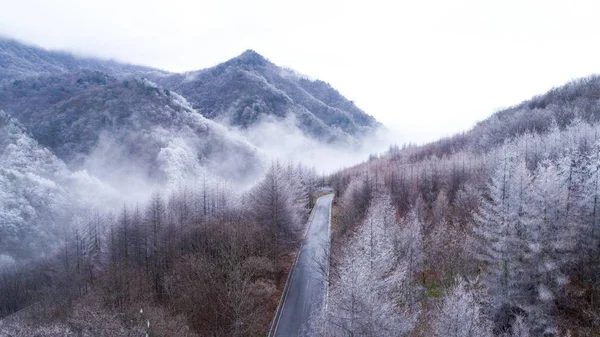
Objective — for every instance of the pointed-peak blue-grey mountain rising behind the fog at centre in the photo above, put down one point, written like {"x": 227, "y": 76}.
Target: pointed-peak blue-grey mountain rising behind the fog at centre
{"x": 249, "y": 89}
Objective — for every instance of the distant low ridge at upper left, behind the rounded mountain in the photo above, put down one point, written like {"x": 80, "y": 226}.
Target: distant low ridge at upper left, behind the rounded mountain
{"x": 18, "y": 60}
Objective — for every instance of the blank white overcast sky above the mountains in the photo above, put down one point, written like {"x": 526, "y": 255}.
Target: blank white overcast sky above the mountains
{"x": 426, "y": 68}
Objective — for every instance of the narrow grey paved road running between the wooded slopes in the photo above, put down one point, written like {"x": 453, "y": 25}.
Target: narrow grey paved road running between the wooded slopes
{"x": 305, "y": 291}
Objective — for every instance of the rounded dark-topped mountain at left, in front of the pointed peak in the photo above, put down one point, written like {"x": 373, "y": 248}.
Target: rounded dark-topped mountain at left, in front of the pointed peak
{"x": 114, "y": 127}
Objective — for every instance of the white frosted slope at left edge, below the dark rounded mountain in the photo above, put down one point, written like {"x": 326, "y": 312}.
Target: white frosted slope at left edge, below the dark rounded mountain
{"x": 38, "y": 193}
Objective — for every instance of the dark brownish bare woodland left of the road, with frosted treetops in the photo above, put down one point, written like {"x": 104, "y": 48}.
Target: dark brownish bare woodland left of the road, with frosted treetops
{"x": 201, "y": 260}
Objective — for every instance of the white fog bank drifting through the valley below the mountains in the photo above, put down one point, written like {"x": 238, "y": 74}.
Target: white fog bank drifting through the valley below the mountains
{"x": 111, "y": 177}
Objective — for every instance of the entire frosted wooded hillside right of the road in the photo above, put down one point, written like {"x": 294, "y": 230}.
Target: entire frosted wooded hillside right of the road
{"x": 494, "y": 232}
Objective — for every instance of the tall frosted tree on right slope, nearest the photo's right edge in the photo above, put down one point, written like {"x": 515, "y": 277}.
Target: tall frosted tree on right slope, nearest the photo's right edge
{"x": 553, "y": 218}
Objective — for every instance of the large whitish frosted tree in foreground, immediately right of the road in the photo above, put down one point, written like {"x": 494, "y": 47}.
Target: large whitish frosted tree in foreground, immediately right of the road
{"x": 370, "y": 293}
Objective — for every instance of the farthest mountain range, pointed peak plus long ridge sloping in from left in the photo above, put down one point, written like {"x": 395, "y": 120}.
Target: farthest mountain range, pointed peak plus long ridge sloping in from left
{"x": 240, "y": 92}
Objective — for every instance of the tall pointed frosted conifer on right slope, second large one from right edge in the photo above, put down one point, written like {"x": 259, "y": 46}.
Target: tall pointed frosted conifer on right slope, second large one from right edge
{"x": 499, "y": 223}
